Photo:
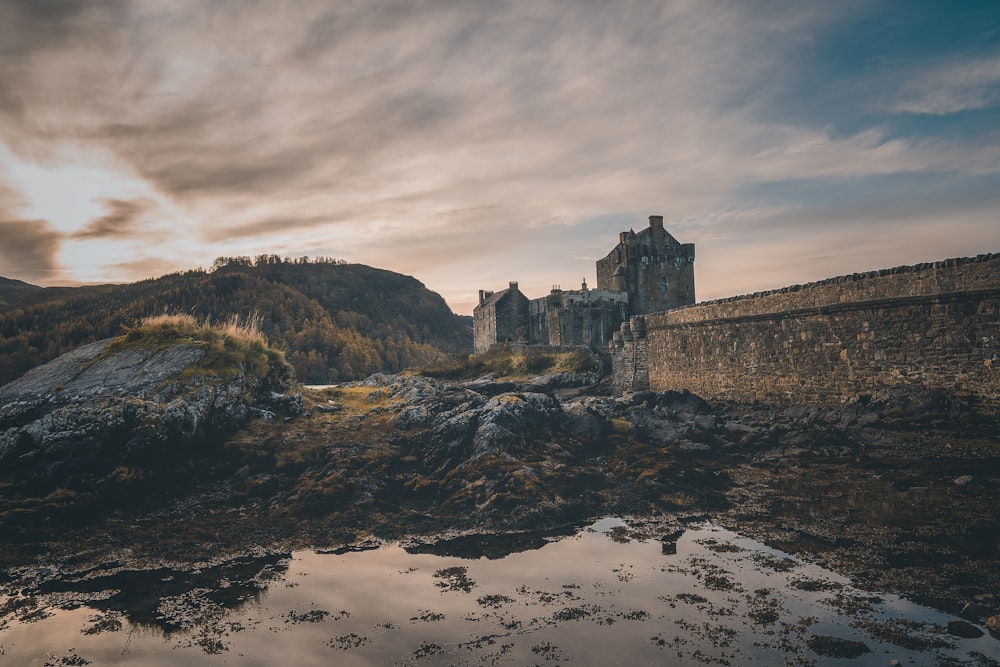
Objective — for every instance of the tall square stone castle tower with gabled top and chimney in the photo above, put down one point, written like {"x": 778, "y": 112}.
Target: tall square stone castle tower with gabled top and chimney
{"x": 652, "y": 266}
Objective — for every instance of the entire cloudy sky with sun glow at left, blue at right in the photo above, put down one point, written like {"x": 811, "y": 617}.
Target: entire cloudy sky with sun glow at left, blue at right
{"x": 471, "y": 143}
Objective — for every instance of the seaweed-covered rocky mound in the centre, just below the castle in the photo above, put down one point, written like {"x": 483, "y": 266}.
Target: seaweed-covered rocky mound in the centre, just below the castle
{"x": 500, "y": 454}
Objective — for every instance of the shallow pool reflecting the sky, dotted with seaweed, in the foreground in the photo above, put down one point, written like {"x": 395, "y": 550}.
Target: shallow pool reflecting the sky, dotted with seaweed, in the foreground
{"x": 703, "y": 595}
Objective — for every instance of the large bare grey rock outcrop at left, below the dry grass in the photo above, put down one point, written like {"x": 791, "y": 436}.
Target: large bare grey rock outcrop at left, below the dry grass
{"x": 109, "y": 410}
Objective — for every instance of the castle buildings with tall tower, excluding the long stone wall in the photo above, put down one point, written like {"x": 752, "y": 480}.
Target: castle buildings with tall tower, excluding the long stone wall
{"x": 647, "y": 272}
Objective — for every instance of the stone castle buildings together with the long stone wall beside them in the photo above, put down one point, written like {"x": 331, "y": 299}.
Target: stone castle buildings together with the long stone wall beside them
{"x": 930, "y": 326}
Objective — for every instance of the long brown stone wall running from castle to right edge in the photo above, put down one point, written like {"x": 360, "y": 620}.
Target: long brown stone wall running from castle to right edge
{"x": 925, "y": 326}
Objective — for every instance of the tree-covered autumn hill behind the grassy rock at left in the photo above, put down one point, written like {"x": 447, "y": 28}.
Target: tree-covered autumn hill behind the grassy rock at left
{"x": 334, "y": 321}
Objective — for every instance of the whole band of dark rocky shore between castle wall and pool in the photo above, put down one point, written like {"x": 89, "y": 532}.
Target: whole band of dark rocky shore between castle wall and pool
{"x": 861, "y": 484}
